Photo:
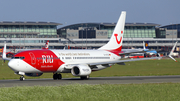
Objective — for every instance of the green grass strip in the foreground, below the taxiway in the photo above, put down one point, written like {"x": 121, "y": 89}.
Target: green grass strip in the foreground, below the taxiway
{"x": 106, "y": 92}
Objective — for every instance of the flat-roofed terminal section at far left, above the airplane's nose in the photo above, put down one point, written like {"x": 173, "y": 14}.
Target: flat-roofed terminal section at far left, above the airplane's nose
{"x": 28, "y": 34}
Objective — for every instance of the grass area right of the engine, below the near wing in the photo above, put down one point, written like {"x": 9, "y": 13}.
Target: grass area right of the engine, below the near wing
{"x": 142, "y": 68}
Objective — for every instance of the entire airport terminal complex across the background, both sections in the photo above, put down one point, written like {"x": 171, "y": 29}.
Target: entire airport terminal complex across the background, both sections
{"x": 85, "y": 35}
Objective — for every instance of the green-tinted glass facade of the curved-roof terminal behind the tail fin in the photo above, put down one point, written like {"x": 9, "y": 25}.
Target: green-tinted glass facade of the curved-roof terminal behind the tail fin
{"x": 139, "y": 30}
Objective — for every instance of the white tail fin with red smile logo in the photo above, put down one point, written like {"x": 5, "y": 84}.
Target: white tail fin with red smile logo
{"x": 115, "y": 42}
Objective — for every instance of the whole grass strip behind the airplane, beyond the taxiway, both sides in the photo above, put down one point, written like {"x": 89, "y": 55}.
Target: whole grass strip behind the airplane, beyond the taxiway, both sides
{"x": 136, "y": 68}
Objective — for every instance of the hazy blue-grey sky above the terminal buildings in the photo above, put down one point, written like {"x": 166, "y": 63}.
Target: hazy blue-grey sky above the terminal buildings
{"x": 69, "y": 12}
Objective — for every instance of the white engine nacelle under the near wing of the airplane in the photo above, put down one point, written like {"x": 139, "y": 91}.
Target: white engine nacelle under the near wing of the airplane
{"x": 81, "y": 70}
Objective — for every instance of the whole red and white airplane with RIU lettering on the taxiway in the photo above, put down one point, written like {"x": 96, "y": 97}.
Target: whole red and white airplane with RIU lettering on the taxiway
{"x": 77, "y": 62}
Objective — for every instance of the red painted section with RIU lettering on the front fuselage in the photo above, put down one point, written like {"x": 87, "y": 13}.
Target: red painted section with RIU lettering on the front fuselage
{"x": 43, "y": 60}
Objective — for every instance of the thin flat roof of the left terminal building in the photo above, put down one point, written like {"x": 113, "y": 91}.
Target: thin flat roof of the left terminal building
{"x": 27, "y": 23}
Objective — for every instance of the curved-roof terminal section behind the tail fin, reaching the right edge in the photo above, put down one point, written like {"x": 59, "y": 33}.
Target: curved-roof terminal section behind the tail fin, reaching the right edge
{"x": 94, "y": 35}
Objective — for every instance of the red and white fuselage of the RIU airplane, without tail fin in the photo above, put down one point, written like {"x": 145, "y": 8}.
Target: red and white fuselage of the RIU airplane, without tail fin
{"x": 59, "y": 60}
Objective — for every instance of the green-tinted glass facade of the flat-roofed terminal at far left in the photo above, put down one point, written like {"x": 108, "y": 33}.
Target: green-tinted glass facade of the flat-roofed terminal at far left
{"x": 28, "y": 30}
